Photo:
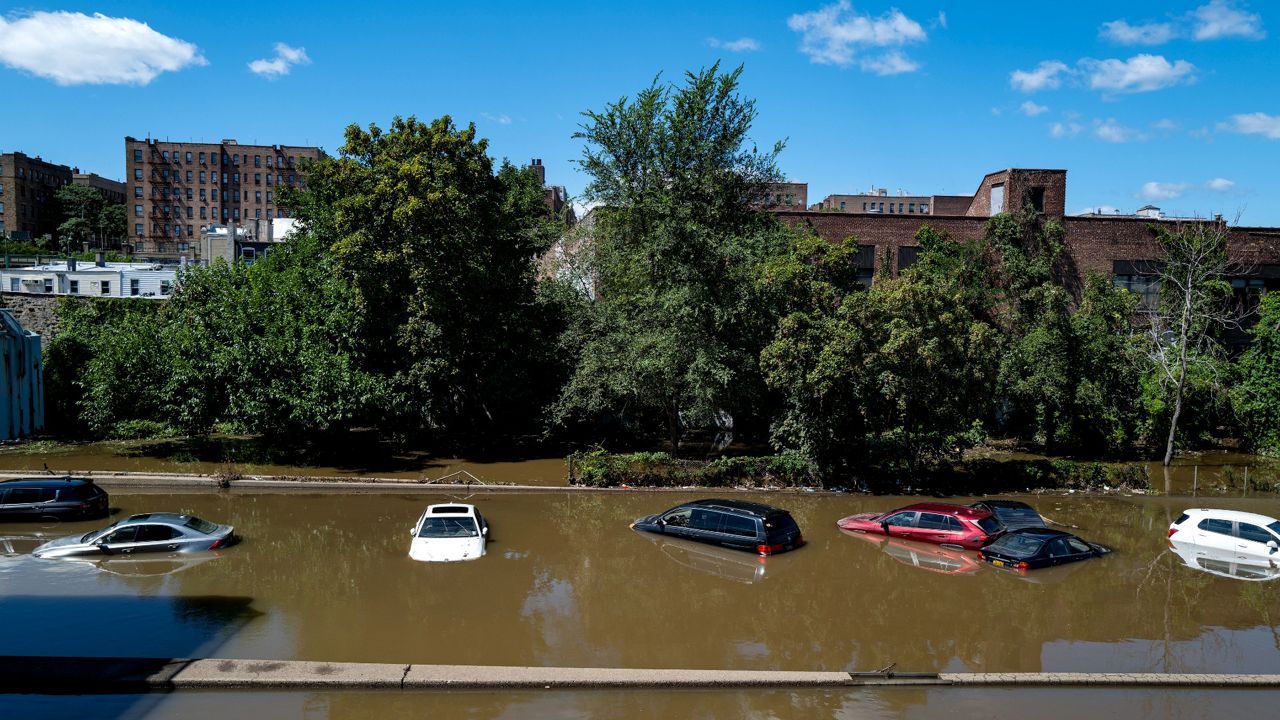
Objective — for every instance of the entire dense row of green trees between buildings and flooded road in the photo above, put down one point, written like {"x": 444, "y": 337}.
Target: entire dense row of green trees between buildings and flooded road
{"x": 412, "y": 302}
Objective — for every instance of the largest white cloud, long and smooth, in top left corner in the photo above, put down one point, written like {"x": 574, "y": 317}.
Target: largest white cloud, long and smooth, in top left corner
{"x": 79, "y": 49}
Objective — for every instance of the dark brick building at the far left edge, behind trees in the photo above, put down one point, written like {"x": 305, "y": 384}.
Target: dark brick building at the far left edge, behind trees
{"x": 29, "y": 207}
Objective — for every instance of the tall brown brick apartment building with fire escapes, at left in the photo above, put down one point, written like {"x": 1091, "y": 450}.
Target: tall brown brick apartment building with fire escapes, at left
{"x": 179, "y": 189}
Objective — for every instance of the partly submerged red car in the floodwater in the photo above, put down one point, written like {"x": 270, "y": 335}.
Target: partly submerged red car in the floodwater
{"x": 940, "y": 523}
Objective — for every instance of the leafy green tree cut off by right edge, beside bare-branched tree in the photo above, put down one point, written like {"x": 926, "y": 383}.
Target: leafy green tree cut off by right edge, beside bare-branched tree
{"x": 1258, "y": 390}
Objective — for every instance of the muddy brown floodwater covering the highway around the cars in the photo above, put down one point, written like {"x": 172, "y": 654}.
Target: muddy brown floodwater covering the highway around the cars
{"x": 566, "y": 582}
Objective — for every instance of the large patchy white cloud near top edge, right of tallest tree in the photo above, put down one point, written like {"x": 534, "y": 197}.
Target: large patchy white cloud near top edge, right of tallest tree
{"x": 836, "y": 35}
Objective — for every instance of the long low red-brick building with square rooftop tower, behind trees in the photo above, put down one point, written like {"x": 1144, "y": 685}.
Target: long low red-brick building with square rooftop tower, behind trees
{"x": 1121, "y": 247}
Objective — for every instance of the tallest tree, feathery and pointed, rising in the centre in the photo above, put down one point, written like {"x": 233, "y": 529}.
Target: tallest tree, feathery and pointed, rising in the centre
{"x": 676, "y": 331}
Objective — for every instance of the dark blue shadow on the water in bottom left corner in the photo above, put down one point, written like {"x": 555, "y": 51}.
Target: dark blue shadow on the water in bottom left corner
{"x": 98, "y": 627}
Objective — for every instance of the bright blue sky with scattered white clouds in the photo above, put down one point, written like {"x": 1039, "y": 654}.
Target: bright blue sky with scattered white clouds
{"x": 1177, "y": 104}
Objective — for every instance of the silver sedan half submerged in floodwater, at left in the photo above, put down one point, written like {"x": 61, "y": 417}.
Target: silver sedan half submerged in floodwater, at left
{"x": 150, "y": 532}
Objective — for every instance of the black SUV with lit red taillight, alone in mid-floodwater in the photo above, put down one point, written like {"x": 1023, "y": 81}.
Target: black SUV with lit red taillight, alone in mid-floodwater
{"x": 732, "y": 523}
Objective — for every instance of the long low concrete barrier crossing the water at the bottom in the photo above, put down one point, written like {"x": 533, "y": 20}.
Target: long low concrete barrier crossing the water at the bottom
{"x": 140, "y": 675}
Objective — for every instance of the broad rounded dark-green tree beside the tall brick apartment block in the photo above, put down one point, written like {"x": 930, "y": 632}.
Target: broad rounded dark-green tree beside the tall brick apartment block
{"x": 440, "y": 250}
